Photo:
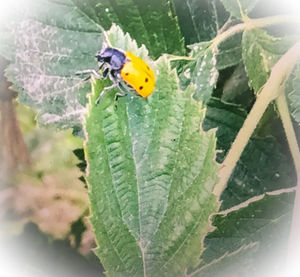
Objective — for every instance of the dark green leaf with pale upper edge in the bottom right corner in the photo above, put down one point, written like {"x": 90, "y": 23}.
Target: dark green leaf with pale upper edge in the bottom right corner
{"x": 251, "y": 239}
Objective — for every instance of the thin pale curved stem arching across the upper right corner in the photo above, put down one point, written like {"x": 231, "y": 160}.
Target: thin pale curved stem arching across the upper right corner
{"x": 252, "y": 24}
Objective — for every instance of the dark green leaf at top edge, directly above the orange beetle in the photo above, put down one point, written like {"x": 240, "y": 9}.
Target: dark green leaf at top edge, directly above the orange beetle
{"x": 149, "y": 22}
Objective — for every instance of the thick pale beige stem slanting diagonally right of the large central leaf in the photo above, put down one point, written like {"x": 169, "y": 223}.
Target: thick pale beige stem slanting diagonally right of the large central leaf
{"x": 270, "y": 91}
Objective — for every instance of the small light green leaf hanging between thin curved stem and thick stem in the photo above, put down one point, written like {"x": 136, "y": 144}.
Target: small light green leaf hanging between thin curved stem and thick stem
{"x": 260, "y": 52}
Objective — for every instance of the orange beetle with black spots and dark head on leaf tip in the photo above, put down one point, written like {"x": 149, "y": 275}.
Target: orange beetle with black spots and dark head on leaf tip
{"x": 124, "y": 68}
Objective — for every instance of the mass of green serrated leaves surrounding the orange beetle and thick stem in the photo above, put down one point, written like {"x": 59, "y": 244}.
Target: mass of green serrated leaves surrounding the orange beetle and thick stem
{"x": 152, "y": 163}
